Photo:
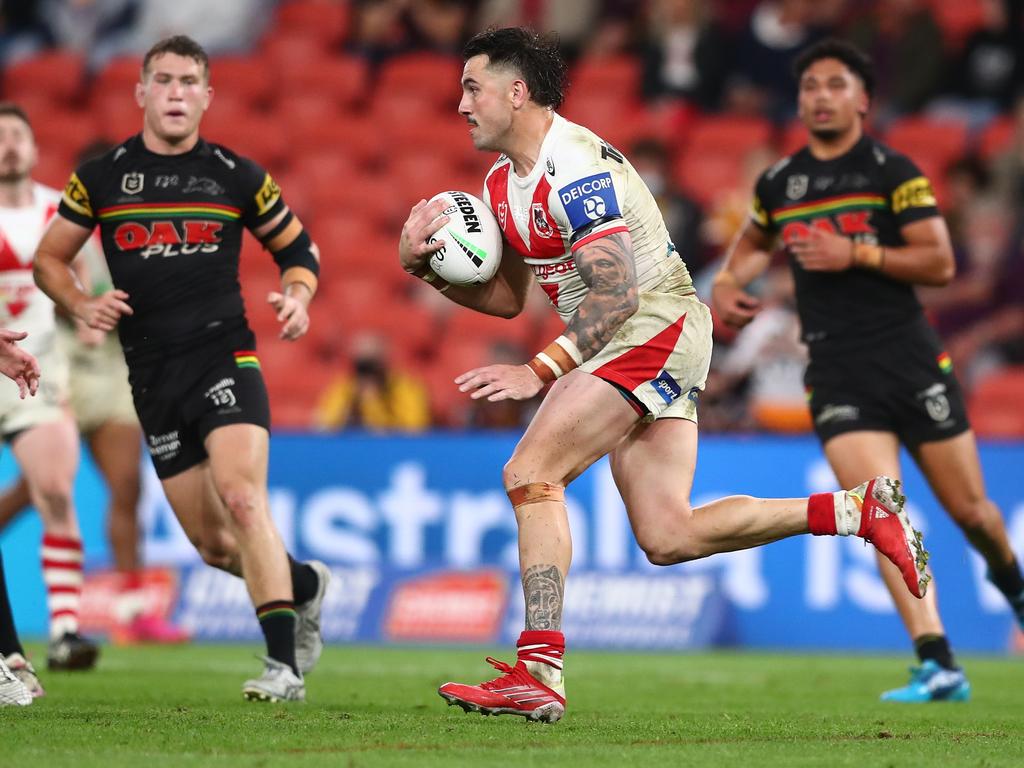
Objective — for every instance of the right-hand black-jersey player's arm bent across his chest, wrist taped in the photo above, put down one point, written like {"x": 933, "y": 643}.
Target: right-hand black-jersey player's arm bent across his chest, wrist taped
{"x": 927, "y": 259}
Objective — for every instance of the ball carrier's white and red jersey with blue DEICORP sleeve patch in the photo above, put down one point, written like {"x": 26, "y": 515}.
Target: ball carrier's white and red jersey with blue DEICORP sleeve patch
{"x": 580, "y": 190}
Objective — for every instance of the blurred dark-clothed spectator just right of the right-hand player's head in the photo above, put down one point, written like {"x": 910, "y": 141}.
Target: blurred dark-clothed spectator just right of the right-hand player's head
{"x": 906, "y": 45}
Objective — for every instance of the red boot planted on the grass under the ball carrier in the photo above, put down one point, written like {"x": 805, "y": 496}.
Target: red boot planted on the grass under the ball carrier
{"x": 516, "y": 693}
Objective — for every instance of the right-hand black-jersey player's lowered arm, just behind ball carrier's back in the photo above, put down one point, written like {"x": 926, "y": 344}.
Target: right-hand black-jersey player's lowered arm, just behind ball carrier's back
{"x": 748, "y": 258}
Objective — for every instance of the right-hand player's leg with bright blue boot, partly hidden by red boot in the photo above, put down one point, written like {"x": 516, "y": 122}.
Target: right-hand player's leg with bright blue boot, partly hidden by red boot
{"x": 855, "y": 457}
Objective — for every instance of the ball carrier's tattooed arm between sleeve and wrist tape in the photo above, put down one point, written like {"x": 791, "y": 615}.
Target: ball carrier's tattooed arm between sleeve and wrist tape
{"x": 609, "y": 269}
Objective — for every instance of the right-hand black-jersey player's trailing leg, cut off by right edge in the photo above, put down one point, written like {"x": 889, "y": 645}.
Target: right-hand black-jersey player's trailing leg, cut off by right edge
{"x": 954, "y": 471}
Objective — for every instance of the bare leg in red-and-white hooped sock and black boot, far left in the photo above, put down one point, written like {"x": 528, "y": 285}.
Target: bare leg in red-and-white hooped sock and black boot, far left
{"x": 48, "y": 455}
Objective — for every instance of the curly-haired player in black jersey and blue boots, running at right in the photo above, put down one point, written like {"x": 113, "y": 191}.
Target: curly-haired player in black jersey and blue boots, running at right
{"x": 861, "y": 227}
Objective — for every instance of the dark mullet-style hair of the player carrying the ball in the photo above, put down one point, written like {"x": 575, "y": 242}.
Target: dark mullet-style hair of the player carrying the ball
{"x": 534, "y": 57}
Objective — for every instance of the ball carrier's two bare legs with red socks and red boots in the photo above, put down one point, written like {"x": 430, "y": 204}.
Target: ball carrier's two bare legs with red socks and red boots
{"x": 582, "y": 419}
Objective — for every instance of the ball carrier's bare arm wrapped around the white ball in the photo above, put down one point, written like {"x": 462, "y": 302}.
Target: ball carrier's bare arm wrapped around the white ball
{"x": 503, "y": 296}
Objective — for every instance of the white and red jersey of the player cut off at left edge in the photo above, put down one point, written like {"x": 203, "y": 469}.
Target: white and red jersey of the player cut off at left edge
{"x": 23, "y": 306}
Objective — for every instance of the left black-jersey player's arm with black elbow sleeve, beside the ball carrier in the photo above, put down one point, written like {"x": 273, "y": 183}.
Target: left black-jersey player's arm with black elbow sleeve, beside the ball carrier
{"x": 298, "y": 259}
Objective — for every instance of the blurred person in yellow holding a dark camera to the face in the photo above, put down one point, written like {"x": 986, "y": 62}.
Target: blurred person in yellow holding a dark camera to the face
{"x": 373, "y": 395}
